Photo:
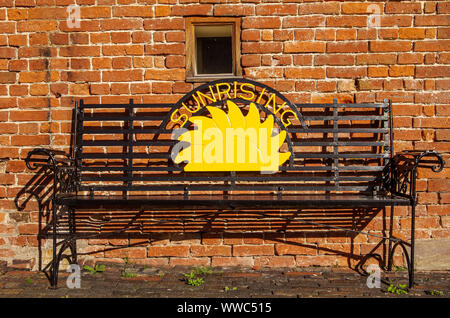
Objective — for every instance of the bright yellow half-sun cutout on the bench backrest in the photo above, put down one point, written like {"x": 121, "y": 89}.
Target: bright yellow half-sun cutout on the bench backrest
{"x": 232, "y": 142}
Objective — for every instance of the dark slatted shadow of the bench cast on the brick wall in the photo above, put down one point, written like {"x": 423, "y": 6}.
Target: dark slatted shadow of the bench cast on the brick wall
{"x": 308, "y": 232}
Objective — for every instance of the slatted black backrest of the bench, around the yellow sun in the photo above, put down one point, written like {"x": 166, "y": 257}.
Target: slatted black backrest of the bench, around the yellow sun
{"x": 127, "y": 149}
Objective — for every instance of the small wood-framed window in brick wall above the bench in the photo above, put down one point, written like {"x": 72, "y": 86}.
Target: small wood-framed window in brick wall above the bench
{"x": 212, "y": 48}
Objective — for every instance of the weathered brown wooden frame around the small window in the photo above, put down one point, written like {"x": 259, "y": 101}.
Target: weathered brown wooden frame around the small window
{"x": 191, "y": 67}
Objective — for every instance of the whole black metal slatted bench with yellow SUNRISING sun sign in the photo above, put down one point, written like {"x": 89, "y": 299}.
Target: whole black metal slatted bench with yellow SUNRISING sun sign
{"x": 333, "y": 156}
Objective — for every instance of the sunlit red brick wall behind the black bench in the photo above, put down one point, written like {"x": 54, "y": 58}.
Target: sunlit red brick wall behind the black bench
{"x": 312, "y": 51}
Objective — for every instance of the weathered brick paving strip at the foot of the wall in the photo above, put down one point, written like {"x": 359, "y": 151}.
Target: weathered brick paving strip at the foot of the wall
{"x": 220, "y": 283}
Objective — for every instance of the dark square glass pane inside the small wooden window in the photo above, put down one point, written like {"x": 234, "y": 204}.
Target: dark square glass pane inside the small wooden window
{"x": 214, "y": 55}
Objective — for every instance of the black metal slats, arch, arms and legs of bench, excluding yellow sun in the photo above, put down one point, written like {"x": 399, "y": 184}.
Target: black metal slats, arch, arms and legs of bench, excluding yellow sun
{"x": 342, "y": 157}
